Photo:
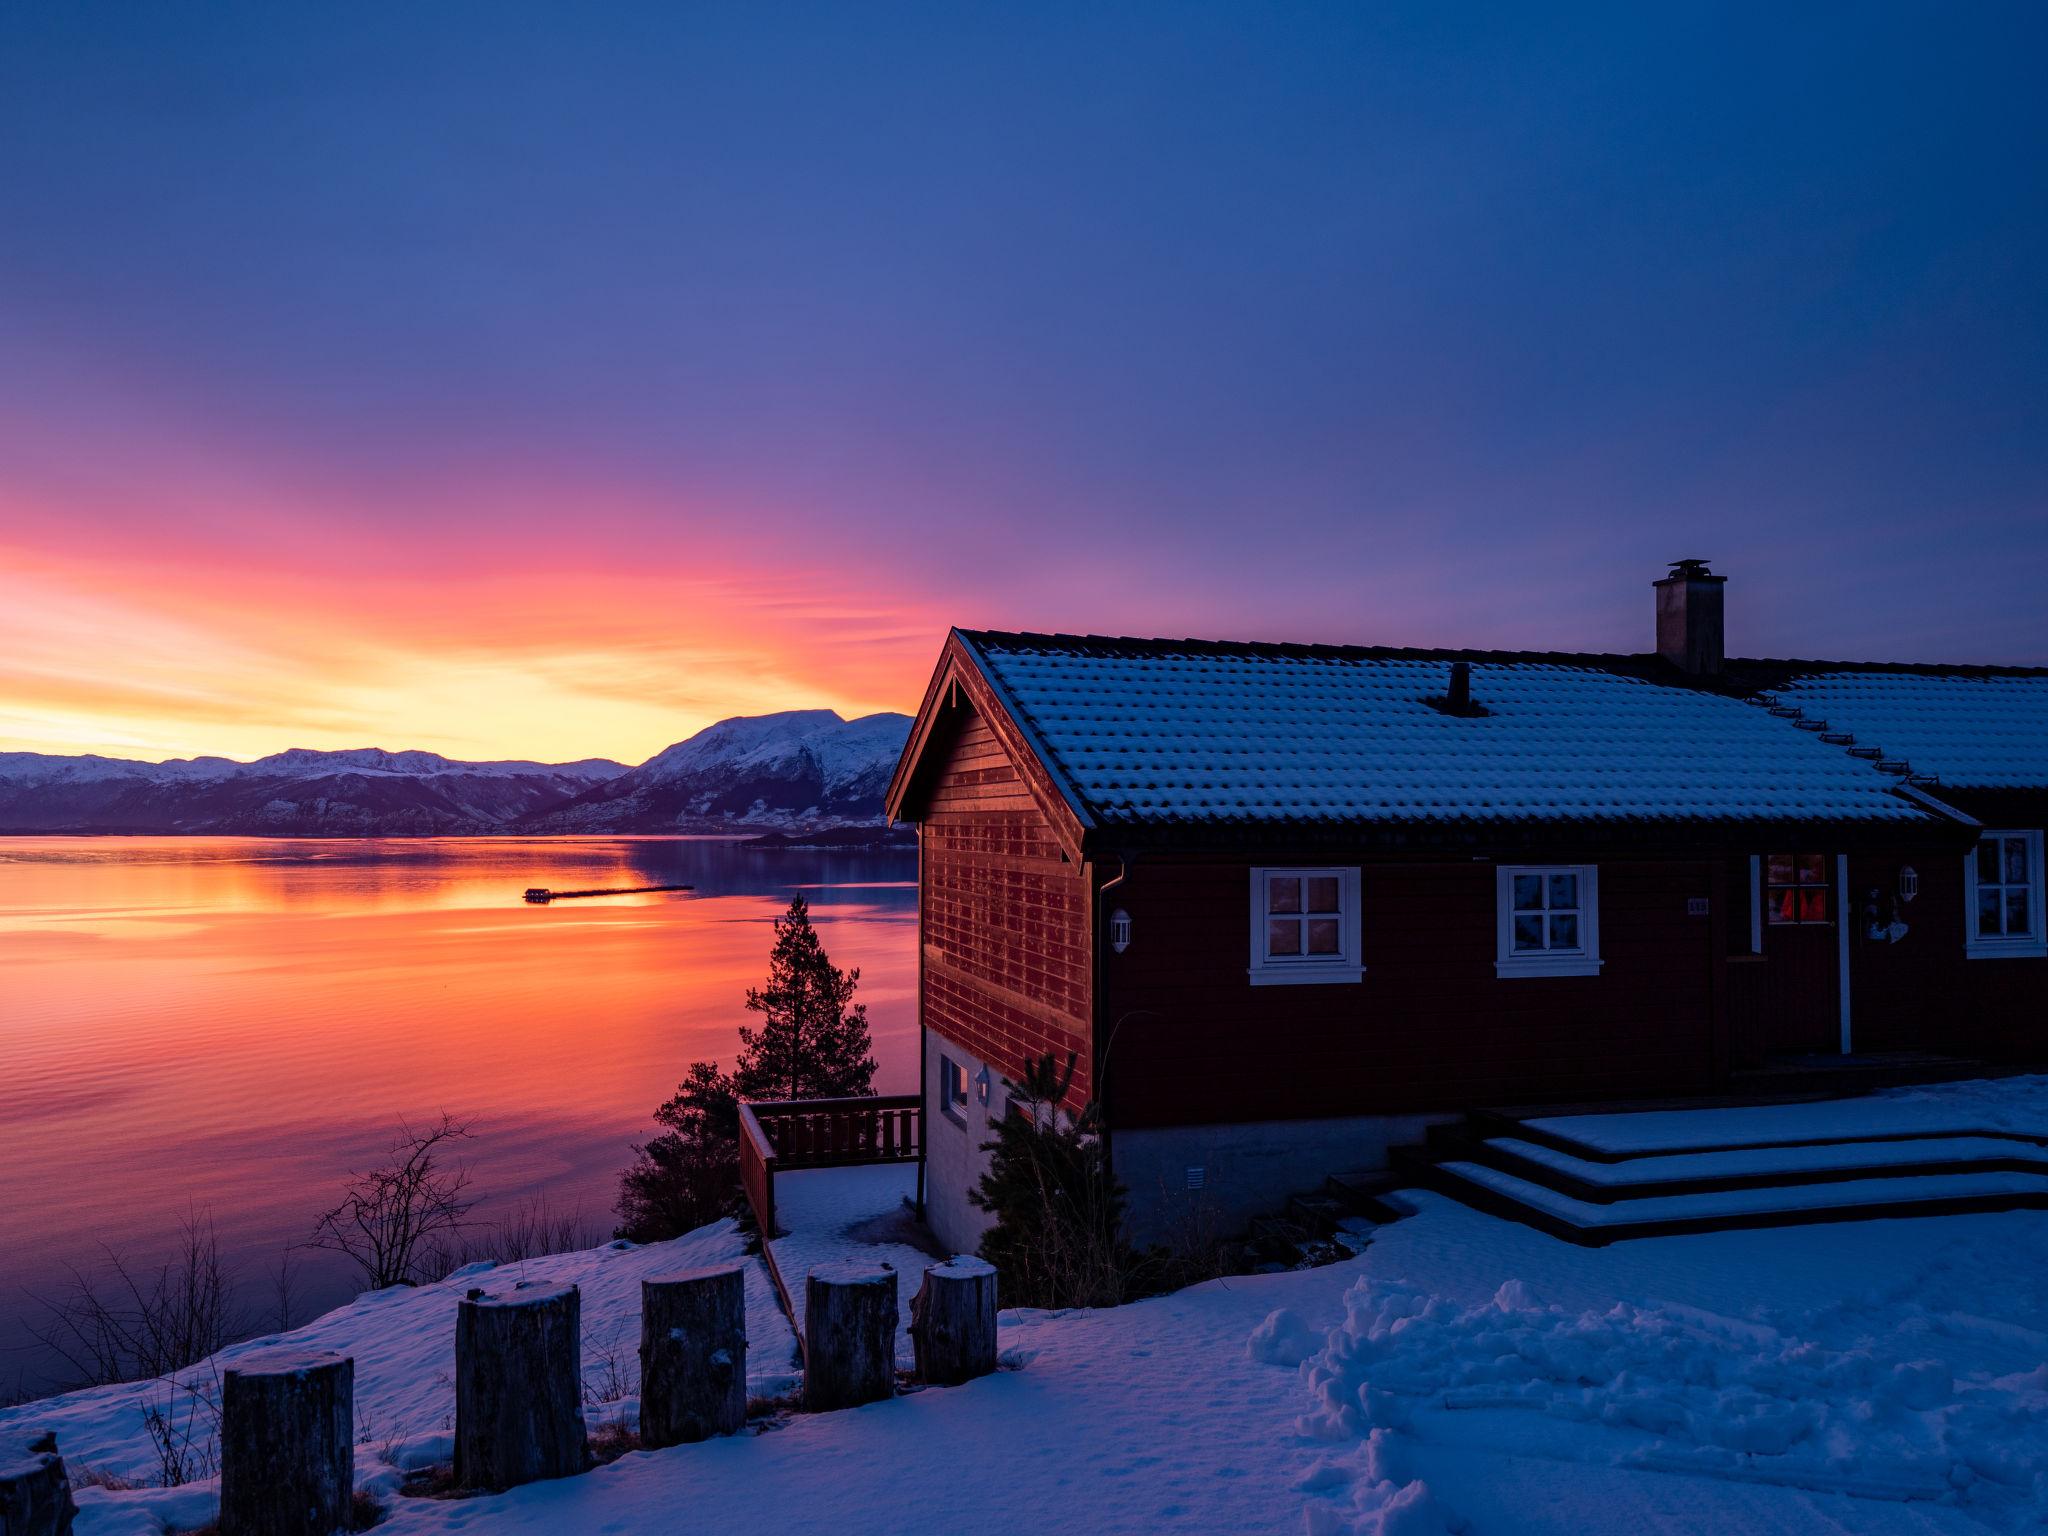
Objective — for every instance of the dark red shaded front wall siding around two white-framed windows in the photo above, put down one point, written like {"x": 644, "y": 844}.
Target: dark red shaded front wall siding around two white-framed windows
{"x": 1431, "y": 1027}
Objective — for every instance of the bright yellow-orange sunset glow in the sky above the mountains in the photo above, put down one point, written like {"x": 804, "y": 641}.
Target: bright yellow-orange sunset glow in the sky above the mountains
{"x": 173, "y": 656}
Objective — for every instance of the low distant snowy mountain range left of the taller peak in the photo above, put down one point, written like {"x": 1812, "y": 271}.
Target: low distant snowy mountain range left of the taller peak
{"x": 364, "y": 792}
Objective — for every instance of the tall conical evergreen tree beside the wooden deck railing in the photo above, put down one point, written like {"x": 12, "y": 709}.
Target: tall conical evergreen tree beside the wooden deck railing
{"x": 812, "y": 1043}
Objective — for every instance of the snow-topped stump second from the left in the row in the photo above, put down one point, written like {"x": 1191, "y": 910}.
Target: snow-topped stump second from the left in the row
{"x": 288, "y": 1443}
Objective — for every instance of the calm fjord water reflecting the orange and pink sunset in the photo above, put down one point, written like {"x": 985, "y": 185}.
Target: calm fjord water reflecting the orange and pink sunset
{"x": 230, "y": 1025}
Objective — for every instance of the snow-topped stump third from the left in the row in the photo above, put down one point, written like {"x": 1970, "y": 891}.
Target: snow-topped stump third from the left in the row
{"x": 519, "y": 1385}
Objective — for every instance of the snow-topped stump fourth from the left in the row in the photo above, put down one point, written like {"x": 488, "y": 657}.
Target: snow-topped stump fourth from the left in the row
{"x": 693, "y": 1357}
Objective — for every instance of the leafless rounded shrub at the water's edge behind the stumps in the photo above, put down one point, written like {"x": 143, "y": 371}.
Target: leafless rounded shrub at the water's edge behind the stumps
{"x": 396, "y": 1218}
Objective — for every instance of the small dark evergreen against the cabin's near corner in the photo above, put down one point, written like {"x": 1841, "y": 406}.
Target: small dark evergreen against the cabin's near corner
{"x": 1058, "y": 1236}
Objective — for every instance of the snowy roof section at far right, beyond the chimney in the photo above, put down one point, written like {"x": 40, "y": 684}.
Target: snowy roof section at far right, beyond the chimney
{"x": 1969, "y": 728}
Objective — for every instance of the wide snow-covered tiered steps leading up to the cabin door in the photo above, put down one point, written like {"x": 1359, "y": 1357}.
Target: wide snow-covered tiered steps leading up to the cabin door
{"x": 1596, "y": 1179}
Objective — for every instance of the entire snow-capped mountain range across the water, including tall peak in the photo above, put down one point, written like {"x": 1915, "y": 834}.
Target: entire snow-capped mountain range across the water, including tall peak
{"x": 790, "y": 773}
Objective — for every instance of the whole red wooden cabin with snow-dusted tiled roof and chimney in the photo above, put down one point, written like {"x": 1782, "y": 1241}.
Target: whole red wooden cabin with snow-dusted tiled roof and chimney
{"x": 1285, "y": 904}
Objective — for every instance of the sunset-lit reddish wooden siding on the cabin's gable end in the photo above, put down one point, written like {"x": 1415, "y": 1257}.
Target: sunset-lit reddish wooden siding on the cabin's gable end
{"x": 1002, "y": 916}
